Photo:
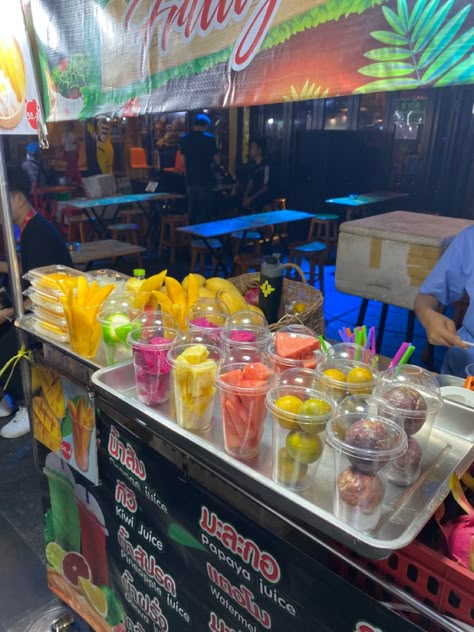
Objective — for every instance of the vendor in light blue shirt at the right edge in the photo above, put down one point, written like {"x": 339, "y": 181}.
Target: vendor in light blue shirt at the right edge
{"x": 450, "y": 280}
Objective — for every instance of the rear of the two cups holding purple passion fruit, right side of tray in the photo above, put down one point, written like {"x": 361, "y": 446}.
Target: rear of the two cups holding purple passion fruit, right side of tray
{"x": 412, "y": 397}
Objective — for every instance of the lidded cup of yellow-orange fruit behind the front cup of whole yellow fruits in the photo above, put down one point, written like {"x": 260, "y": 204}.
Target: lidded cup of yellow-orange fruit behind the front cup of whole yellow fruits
{"x": 340, "y": 377}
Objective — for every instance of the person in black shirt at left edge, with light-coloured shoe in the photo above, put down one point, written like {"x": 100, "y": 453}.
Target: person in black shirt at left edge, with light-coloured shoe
{"x": 40, "y": 245}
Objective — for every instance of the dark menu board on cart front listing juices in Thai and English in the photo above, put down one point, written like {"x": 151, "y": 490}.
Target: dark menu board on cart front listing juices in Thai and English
{"x": 153, "y": 550}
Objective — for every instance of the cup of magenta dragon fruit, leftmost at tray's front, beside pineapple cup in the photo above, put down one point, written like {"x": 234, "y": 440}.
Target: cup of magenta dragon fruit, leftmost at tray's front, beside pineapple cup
{"x": 150, "y": 346}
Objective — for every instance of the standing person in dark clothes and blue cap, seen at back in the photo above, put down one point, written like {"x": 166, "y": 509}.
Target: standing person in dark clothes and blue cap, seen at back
{"x": 200, "y": 152}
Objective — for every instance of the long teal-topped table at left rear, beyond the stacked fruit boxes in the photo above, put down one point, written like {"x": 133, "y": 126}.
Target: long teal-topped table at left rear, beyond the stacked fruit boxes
{"x": 96, "y": 208}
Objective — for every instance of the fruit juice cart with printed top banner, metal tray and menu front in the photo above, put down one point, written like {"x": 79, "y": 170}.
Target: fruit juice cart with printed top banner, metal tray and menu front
{"x": 152, "y": 527}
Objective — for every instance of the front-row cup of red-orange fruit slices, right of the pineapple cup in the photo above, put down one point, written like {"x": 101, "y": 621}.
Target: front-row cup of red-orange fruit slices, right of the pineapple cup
{"x": 243, "y": 388}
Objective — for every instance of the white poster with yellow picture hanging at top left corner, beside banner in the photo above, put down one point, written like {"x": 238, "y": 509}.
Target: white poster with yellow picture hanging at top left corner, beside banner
{"x": 19, "y": 109}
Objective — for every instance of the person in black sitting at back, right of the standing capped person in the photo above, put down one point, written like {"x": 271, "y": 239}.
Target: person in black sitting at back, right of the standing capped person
{"x": 257, "y": 196}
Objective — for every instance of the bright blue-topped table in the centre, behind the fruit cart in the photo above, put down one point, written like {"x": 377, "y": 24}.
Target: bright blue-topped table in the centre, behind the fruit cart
{"x": 210, "y": 230}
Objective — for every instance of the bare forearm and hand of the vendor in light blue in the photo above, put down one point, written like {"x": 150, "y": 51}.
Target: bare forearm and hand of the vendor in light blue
{"x": 440, "y": 329}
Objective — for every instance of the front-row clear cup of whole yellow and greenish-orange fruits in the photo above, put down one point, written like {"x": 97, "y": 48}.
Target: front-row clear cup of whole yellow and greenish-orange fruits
{"x": 299, "y": 417}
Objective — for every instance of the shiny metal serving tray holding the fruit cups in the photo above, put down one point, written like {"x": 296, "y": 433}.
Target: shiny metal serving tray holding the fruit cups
{"x": 406, "y": 509}
